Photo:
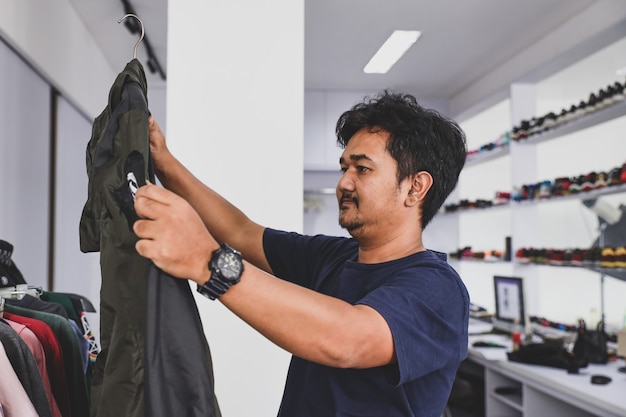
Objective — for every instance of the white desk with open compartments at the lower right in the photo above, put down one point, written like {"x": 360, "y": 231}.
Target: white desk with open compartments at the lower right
{"x": 546, "y": 391}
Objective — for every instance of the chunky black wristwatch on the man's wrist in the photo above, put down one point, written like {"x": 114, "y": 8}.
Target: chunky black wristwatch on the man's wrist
{"x": 226, "y": 267}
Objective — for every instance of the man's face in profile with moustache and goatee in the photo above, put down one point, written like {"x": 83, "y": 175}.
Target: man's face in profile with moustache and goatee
{"x": 368, "y": 192}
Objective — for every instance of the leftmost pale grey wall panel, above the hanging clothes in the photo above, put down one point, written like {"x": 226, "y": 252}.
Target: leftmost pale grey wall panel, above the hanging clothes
{"x": 24, "y": 166}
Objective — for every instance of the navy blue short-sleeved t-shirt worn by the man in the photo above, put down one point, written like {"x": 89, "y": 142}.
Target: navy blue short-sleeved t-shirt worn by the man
{"x": 425, "y": 304}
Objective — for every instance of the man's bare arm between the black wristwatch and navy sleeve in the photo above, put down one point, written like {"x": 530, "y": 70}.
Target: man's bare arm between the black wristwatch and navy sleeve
{"x": 311, "y": 325}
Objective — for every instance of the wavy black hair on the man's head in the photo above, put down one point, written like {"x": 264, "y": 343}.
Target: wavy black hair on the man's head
{"x": 420, "y": 139}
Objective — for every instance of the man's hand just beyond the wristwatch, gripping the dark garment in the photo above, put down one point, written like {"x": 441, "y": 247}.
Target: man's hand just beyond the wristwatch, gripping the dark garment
{"x": 172, "y": 234}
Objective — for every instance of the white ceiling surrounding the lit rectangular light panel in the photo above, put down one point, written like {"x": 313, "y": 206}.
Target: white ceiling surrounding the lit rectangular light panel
{"x": 462, "y": 40}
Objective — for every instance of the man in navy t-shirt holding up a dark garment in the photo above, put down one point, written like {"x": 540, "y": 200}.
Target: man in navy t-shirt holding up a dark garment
{"x": 377, "y": 324}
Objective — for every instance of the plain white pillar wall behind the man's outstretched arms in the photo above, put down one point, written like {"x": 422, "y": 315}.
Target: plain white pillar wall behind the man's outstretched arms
{"x": 235, "y": 118}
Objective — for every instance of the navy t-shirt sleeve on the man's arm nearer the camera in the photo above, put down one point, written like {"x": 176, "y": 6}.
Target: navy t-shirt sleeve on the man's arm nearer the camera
{"x": 427, "y": 310}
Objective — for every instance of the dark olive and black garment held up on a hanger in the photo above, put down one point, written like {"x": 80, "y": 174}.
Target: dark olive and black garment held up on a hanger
{"x": 154, "y": 359}
